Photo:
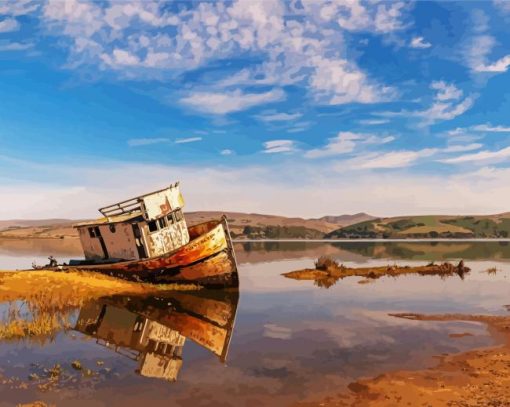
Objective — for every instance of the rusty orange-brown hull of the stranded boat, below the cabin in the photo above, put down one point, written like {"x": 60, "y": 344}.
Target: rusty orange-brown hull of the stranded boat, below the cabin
{"x": 207, "y": 260}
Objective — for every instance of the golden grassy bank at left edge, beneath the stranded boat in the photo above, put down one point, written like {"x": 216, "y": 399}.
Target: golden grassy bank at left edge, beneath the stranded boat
{"x": 41, "y": 302}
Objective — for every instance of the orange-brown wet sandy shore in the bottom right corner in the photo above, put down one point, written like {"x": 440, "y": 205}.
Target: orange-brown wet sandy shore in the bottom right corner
{"x": 476, "y": 378}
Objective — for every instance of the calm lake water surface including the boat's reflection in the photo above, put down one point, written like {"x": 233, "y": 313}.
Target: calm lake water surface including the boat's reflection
{"x": 287, "y": 340}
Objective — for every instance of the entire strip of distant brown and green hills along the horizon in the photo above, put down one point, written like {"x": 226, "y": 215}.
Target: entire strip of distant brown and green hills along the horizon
{"x": 258, "y": 226}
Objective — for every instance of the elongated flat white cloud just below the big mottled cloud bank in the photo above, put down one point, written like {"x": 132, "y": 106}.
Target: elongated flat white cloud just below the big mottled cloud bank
{"x": 229, "y": 101}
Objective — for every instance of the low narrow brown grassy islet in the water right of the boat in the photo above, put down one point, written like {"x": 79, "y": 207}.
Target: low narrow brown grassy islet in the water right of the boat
{"x": 327, "y": 271}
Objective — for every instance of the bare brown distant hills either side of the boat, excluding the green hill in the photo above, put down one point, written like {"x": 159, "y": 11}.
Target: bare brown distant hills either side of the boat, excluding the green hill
{"x": 242, "y": 225}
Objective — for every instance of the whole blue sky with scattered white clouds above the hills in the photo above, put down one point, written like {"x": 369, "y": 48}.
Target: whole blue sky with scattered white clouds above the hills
{"x": 296, "y": 108}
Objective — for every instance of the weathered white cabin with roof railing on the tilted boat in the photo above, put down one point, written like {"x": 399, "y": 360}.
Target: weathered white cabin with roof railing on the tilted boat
{"x": 149, "y": 225}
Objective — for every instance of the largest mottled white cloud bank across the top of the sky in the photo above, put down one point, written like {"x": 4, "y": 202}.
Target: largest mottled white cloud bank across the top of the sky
{"x": 297, "y": 44}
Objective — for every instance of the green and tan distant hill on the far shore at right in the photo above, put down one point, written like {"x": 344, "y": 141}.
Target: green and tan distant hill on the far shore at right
{"x": 489, "y": 226}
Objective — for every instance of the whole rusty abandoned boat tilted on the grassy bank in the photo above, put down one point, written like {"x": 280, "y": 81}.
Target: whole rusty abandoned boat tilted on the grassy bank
{"x": 146, "y": 238}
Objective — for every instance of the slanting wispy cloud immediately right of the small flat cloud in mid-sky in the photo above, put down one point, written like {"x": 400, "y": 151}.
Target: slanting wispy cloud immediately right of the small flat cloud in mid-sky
{"x": 346, "y": 142}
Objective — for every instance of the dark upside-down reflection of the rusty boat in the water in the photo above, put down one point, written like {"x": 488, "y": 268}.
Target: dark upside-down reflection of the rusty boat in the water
{"x": 153, "y": 330}
